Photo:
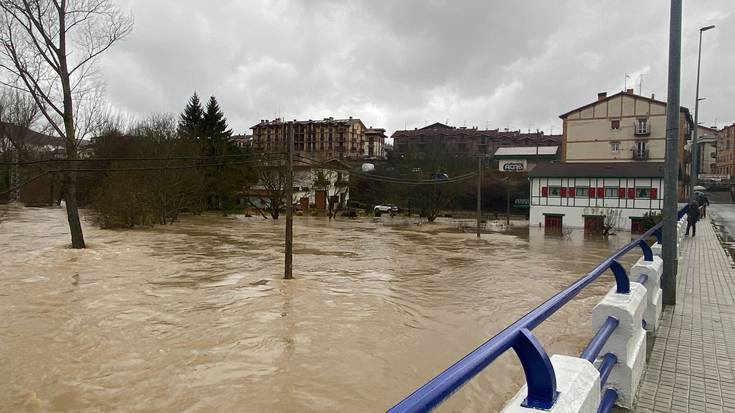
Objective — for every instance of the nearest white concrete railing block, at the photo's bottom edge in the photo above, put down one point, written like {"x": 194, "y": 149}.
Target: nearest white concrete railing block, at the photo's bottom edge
{"x": 578, "y": 384}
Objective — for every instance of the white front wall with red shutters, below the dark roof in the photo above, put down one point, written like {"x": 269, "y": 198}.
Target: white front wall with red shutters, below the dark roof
{"x": 647, "y": 197}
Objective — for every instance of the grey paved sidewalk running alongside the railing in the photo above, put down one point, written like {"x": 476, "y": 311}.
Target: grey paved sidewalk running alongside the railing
{"x": 692, "y": 363}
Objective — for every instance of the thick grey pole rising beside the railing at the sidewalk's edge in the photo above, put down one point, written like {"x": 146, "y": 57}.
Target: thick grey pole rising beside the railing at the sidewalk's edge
{"x": 670, "y": 250}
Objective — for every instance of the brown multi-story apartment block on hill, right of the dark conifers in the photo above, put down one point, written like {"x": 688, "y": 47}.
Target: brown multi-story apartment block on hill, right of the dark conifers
{"x": 313, "y": 139}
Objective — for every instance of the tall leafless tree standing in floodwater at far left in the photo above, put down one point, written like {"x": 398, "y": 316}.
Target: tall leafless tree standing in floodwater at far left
{"x": 48, "y": 48}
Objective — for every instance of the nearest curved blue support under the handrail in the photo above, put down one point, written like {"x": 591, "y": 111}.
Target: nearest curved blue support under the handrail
{"x": 539, "y": 371}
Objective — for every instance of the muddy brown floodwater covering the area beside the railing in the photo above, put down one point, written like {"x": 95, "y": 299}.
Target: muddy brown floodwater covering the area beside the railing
{"x": 195, "y": 317}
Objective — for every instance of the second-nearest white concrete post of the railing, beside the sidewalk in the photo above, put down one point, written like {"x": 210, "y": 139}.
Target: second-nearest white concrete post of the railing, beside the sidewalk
{"x": 627, "y": 342}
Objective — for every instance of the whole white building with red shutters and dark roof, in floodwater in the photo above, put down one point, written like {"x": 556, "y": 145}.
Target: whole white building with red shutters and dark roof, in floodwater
{"x": 590, "y": 195}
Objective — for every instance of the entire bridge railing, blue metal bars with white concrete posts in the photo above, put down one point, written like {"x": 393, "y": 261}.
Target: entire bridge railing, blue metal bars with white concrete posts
{"x": 639, "y": 311}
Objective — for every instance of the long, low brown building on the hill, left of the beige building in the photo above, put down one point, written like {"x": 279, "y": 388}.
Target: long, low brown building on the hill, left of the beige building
{"x": 463, "y": 141}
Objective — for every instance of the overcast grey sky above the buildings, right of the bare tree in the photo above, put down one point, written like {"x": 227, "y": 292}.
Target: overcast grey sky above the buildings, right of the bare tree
{"x": 395, "y": 63}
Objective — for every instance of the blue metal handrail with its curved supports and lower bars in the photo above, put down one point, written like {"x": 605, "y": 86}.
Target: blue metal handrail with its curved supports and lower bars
{"x": 540, "y": 376}
